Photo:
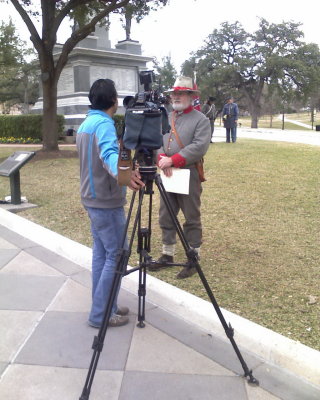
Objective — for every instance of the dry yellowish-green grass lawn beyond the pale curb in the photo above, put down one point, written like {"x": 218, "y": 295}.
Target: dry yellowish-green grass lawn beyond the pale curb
{"x": 260, "y": 212}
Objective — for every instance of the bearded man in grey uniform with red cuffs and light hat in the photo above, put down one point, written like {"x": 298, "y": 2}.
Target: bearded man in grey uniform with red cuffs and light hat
{"x": 183, "y": 147}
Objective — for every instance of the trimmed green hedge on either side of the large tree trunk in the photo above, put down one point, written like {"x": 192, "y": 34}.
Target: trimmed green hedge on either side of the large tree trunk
{"x": 25, "y": 126}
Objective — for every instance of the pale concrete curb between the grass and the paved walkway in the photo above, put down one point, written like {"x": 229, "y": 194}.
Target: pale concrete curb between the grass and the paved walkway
{"x": 277, "y": 349}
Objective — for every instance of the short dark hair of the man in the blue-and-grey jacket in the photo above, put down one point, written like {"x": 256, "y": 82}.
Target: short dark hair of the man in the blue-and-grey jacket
{"x": 103, "y": 94}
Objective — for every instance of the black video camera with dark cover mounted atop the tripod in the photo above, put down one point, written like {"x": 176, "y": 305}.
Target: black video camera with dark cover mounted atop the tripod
{"x": 146, "y": 119}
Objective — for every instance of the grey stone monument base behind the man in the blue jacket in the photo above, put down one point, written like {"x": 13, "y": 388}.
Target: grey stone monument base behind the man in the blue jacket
{"x": 92, "y": 59}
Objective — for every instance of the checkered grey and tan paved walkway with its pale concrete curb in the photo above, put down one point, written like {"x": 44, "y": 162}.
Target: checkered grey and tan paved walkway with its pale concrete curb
{"x": 182, "y": 353}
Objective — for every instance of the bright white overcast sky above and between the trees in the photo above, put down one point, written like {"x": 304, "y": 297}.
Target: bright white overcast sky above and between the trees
{"x": 181, "y": 27}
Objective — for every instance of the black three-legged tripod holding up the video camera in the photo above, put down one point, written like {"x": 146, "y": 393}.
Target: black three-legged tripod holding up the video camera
{"x": 149, "y": 175}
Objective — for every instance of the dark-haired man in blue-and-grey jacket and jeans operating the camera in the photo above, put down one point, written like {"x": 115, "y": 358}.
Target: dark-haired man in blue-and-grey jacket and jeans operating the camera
{"x": 102, "y": 197}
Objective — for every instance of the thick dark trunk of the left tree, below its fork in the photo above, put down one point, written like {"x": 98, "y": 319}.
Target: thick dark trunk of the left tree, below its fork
{"x": 49, "y": 120}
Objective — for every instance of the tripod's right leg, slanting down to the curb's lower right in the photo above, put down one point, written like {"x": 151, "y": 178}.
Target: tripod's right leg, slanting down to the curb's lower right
{"x": 193, "y": 260}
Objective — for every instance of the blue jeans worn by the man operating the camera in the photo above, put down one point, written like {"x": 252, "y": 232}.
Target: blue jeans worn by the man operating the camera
{"x": 107, "y": 228}
